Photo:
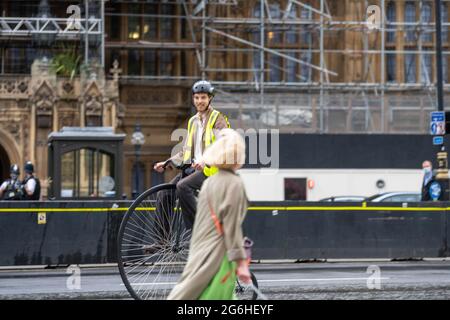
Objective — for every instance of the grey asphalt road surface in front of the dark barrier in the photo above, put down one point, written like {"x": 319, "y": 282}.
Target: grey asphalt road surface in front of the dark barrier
{"x": 347, "y": 280}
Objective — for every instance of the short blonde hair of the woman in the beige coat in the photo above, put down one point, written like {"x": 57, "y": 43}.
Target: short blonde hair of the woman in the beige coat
{"x": 227, "y": 152}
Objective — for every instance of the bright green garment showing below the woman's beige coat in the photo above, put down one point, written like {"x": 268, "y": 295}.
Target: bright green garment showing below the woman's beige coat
{"x": 223, "y": 284}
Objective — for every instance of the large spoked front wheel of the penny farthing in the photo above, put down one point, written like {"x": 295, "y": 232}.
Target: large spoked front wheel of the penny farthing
{"x": 153, "y": 244}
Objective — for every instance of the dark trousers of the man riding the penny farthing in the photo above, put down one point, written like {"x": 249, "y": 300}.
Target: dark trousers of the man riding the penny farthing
{"x": 186, "y": 192}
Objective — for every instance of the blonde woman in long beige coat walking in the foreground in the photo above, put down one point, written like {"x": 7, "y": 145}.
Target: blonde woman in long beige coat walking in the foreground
{"x": 217, "y": 254}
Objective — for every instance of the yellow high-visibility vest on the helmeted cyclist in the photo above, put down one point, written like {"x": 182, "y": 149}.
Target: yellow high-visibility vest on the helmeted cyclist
{"x": 209, "y": 139}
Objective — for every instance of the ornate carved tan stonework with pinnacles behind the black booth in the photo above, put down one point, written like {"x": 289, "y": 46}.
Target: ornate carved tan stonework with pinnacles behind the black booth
{"x": 43, "y": 92}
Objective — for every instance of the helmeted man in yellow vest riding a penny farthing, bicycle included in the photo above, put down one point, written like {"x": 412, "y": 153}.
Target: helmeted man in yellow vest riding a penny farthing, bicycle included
{"x": 154, "y": 235}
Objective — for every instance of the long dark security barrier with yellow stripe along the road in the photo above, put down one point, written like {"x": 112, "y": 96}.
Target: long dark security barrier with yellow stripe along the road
{"x": 85, "y": 232}
